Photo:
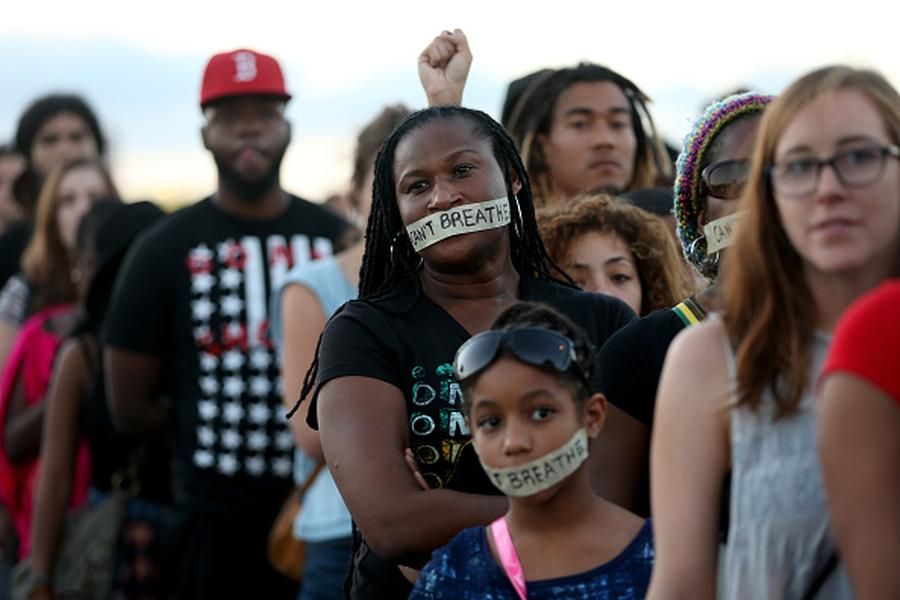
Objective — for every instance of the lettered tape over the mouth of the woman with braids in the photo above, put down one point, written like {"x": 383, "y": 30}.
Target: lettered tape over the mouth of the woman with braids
{"x": 466, "y": 218}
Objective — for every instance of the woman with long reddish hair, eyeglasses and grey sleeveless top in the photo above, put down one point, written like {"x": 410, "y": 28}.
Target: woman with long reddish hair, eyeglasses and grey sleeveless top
{"x": 821, "y": 227}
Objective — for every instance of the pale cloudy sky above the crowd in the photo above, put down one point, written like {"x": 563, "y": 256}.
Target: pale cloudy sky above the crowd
{"x": 140, "y": 64}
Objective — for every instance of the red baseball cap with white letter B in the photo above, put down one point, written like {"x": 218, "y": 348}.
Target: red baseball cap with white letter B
{"x": 242, "y": 72}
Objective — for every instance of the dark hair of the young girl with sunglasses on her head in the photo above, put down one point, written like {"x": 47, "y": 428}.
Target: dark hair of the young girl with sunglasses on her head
{"x": 534, "y": 314}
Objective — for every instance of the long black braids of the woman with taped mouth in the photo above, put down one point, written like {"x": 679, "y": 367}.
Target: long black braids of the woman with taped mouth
{"x": 389, "y": 257}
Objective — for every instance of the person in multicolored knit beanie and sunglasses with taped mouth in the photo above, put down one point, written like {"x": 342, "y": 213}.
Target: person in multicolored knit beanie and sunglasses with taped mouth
{"x": 711, "y": 172}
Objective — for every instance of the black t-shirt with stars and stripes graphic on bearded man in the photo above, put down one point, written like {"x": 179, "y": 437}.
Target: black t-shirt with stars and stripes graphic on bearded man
{"x": 194, "y": 291}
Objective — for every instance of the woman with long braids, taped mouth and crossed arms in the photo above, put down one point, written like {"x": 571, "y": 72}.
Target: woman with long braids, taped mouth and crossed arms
{"x": 451, "y": 242}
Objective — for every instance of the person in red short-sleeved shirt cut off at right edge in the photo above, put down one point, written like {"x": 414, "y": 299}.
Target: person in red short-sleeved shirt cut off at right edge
{"x": 859, "y": 441}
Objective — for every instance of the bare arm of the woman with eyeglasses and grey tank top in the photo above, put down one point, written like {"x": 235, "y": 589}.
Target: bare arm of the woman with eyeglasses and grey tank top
{"x": 689, "y": 456}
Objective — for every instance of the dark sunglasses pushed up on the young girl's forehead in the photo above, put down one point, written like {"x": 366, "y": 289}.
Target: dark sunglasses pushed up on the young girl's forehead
{"x": 531, "y": 345}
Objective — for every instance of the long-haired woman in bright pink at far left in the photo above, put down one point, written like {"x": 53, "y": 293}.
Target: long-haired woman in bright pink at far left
{"x": 49, "y": 261}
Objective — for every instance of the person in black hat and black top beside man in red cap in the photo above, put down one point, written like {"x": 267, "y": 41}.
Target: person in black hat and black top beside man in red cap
{"x": 77, "y": 410}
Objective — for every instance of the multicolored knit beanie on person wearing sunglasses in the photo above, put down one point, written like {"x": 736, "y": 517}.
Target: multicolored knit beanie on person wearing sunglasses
{"x": 690, "y": 202}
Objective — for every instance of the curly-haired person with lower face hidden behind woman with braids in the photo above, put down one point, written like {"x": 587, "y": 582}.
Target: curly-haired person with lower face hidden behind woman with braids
{"x": 616, "y": 249}
